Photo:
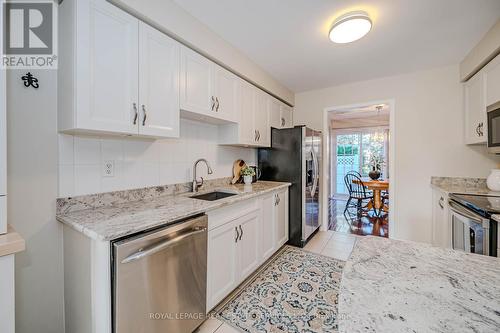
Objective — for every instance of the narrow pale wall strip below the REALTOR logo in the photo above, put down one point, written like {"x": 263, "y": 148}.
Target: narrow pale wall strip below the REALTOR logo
{"x": 32, "y": 191}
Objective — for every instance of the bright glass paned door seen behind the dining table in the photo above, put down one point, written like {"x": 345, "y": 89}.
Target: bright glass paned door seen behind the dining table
{"x": 354, "y": 151}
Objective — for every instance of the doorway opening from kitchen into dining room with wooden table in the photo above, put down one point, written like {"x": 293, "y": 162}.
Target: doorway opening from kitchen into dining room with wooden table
{"x": 359, "y": 198}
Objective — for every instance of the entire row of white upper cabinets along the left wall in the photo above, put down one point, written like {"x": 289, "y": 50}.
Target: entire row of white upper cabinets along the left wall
{"x": 118, "y": 75}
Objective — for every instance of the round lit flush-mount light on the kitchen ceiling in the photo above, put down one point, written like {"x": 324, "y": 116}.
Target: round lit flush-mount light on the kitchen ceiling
{"x": 350, "y": 27}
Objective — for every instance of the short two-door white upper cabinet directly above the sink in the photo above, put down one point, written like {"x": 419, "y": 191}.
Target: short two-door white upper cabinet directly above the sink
{"x": 208, "y": 91}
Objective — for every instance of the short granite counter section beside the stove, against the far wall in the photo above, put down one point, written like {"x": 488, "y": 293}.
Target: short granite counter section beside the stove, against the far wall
{"x": 472, "y": 186}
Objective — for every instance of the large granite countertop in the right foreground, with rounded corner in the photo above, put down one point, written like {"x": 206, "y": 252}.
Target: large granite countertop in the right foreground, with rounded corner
{"x": 400, "y": 286}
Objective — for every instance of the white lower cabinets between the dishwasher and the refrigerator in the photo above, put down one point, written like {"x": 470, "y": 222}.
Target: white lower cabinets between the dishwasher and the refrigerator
{"x": 242, "y": 237}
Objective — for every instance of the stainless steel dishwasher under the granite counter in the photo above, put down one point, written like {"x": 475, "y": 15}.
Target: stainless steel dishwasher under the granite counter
{"x": 159, "y": 279}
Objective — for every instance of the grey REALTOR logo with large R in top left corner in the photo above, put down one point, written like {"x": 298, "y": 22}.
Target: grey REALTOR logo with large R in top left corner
{"x": 29, "y": 35}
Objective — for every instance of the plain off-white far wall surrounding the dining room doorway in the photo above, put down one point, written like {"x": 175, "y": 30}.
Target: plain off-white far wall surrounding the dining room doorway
{"x": 428, "y": 136}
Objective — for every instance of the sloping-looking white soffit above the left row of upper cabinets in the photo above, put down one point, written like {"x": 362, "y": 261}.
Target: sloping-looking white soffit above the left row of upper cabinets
{"x": 170, "y": 17}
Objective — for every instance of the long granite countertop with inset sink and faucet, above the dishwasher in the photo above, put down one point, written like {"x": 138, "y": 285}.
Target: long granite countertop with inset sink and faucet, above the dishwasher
{"x": 118, "y": 220}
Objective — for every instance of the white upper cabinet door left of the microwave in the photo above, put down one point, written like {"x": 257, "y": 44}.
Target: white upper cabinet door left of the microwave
{"x": 475, "y": 109}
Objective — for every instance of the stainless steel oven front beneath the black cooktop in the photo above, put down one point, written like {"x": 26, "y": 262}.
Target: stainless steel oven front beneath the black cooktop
{"x": 470, "y": 231}
